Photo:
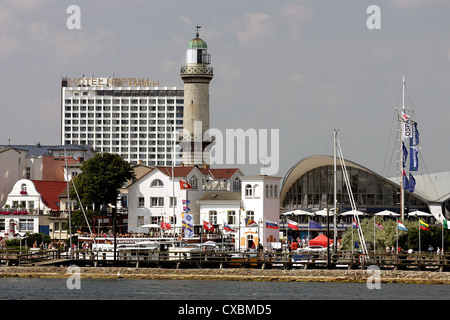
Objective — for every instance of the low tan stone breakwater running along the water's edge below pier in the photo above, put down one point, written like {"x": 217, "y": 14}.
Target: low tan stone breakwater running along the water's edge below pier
{"x": 238, "y": 274}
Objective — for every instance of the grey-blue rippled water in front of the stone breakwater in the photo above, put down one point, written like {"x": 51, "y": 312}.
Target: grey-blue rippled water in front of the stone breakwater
{"x": 125, "y": 289}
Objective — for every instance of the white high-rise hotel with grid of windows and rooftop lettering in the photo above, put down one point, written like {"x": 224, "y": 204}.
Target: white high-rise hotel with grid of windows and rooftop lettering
{"x": 132, "y": 117}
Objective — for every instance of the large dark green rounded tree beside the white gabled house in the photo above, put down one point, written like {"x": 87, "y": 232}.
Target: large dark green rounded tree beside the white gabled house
{"x": 101, "y": 178}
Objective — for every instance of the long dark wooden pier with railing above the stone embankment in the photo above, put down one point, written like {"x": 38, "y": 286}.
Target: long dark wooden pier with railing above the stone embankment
{"x": 220, "y": 260}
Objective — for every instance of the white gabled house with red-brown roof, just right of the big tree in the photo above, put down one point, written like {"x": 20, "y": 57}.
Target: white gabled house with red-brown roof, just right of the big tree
{"x": 157, "y": 197}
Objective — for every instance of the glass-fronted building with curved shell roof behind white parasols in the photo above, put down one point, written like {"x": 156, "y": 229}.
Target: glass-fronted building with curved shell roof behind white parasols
{"x": 309, "y": 185}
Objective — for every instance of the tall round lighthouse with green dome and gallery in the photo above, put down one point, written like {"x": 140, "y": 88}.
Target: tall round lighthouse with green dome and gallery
{"x": 196, "y": 75}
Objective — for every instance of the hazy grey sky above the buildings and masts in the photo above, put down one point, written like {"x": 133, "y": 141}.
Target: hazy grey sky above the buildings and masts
{"x": 299, "y": 67}
